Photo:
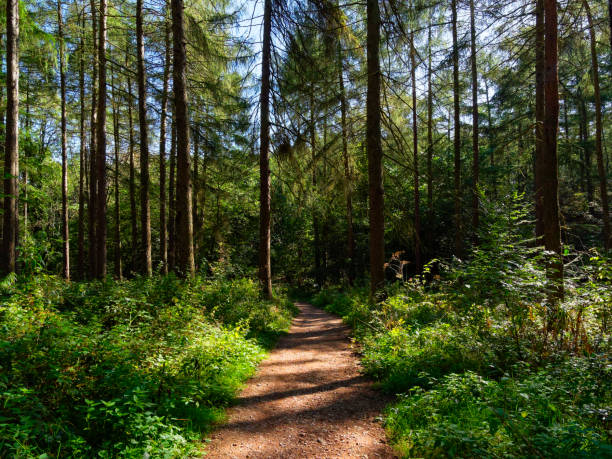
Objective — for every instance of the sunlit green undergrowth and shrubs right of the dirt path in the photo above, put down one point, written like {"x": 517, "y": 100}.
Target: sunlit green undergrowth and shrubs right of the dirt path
{"x": 486, "y": 366}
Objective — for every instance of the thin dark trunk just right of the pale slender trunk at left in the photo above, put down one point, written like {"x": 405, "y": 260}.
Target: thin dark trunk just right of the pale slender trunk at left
{"x": 81, "y": 222}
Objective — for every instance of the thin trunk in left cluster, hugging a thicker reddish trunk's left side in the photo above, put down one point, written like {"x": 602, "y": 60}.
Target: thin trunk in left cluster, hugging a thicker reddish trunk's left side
{"x": 93, "y": 139}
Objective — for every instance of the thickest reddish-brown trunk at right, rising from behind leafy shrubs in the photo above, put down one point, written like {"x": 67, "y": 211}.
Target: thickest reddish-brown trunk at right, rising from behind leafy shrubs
{"x": 550, "y": 179}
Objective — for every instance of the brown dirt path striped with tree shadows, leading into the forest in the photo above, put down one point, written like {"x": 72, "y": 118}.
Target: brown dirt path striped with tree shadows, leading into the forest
{"x": 308, "y": 400}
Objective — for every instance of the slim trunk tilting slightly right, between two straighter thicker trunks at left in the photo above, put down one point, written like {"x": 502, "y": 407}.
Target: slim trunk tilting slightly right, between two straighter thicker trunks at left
{"x": 162, "y": 157}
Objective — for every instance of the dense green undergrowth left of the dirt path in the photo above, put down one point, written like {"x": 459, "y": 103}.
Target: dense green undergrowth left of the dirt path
{"x": 137, "y": 368}
